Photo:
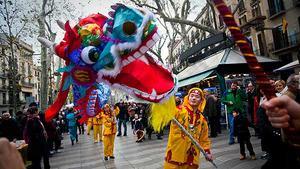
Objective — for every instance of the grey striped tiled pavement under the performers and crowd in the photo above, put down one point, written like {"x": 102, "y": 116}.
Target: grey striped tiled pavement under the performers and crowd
{"x": 146, "y": 155}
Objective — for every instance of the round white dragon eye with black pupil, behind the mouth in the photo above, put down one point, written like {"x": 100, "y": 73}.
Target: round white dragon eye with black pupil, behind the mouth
{"x": 90, "y": 55}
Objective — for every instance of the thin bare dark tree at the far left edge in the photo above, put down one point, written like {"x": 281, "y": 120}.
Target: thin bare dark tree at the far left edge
{"x": 13, "y": 24}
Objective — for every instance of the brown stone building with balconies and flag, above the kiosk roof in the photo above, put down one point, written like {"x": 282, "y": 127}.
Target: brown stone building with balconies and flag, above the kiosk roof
{"x": 271, "y": 26}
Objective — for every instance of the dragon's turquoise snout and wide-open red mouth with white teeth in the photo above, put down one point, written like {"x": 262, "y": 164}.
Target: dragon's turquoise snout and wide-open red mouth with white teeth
{"x": 134, "y": 70}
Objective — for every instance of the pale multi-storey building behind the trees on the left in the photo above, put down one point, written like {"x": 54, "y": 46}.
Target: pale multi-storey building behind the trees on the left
{"x": 27, "y": 78}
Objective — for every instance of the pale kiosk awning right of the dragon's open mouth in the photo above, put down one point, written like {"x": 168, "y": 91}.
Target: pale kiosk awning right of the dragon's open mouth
{"x": 228, "y": 61}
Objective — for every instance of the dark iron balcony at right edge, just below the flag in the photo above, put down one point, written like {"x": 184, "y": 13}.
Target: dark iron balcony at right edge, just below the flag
{"x": 285, "y": 43}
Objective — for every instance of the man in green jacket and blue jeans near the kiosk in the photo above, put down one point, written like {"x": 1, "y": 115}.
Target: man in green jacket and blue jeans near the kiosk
{"x": 233, "y": 98}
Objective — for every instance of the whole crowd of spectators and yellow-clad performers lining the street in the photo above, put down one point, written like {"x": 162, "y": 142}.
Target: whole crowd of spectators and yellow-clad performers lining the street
{"x": 198, "y": 111}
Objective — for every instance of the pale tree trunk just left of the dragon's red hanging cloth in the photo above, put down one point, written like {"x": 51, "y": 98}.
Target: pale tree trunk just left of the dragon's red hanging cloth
{"x": 44, "y": 73}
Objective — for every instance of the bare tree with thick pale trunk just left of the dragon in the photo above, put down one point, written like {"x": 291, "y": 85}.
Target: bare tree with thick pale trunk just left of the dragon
{"x": 46, "y": 14}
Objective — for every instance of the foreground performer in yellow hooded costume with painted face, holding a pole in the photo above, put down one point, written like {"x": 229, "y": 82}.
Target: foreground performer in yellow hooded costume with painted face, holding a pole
{"x": 180, "y": 152}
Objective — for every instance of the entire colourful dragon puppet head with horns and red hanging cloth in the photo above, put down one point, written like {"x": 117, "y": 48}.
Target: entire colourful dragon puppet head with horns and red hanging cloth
{"x": 114, "y": 51}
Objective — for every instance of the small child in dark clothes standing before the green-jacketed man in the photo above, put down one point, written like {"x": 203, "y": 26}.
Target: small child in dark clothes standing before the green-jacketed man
{"x": 242, "y": 132}
